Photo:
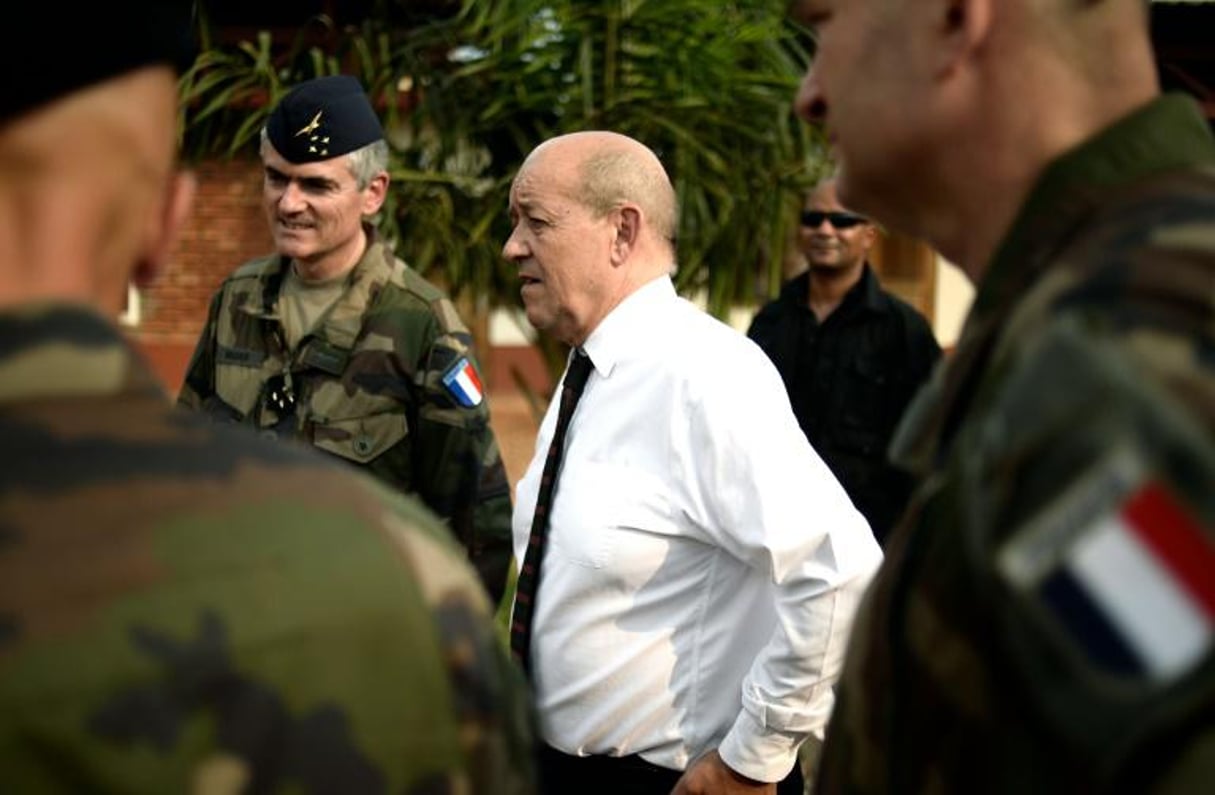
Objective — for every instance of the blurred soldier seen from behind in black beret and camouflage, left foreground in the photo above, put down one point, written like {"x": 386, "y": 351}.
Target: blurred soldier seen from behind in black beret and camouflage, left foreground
{"x": 185, "y": 607}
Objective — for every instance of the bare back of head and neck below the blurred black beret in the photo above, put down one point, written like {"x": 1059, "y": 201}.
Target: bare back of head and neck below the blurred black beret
{"x": 92, "y": 198}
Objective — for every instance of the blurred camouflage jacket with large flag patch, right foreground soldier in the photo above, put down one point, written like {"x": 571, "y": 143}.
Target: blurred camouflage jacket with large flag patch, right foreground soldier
{"x": 1044, "y": 618}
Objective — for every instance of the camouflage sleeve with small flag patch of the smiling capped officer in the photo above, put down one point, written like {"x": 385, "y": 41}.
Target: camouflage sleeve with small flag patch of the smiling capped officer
{"x": 459, "y": 466}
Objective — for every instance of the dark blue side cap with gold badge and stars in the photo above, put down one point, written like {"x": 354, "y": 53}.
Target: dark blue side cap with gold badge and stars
{"x": 324, "y": 119}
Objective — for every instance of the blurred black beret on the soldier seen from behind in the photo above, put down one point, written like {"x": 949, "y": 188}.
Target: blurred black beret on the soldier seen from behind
{"x": 89, "y": 44}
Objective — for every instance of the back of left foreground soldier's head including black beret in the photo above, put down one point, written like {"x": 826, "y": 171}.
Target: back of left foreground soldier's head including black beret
{"x": 89, "y": 172}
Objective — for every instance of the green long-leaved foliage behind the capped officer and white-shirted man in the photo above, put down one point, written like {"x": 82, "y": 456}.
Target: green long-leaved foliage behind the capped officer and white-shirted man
{"x": 708, "y": 84}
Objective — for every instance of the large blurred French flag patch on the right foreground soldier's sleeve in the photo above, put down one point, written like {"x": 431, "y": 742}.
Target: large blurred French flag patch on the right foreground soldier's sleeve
{"x": 1123, "y": 568}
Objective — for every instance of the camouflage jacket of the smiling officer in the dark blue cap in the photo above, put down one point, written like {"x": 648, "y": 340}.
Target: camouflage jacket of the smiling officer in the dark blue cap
{"x": 381, "y": 384}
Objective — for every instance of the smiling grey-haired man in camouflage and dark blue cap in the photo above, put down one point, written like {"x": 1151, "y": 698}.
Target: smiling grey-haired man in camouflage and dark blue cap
{"x": 336, "y": 342}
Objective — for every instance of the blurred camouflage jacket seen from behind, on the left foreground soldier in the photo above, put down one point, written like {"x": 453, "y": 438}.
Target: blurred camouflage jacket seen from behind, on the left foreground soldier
{"x": 187, "y": 607}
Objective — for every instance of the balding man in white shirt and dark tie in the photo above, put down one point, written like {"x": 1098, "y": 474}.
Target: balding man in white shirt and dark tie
{"x": 702, "y": 565}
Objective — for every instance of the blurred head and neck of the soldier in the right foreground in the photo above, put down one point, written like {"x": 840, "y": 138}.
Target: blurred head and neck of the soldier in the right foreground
{"x": 943, "y": 115}
